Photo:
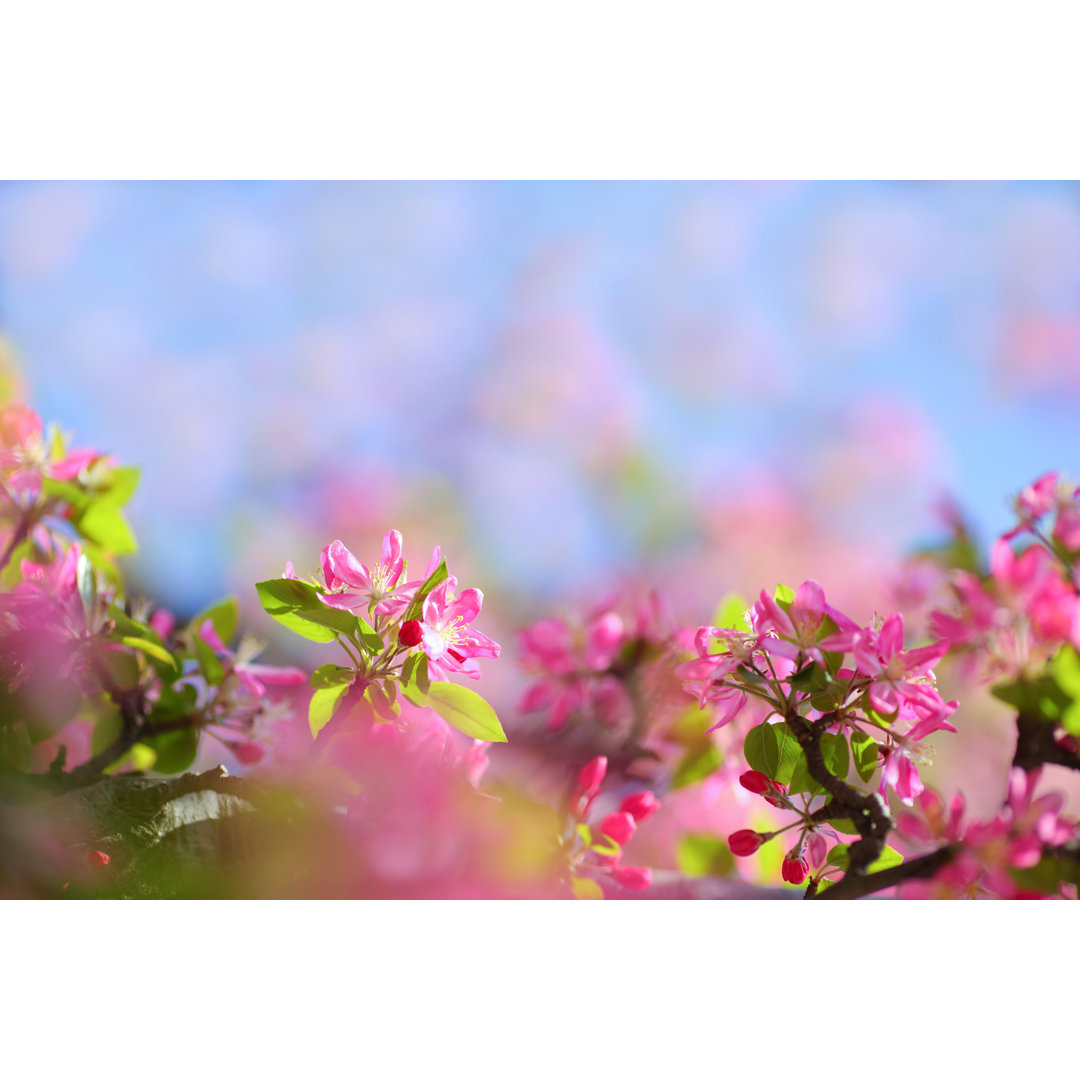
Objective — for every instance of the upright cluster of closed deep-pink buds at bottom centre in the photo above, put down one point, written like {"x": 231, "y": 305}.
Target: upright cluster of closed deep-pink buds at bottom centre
{"x": 598, "y": 850}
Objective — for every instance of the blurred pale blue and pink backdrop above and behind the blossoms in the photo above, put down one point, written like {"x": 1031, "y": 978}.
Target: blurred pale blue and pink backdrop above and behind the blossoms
{"x": 575, "y": 389}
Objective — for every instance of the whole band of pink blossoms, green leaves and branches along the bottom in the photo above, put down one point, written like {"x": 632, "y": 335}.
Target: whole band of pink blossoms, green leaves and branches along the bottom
{"x": 383, "y": 773}
